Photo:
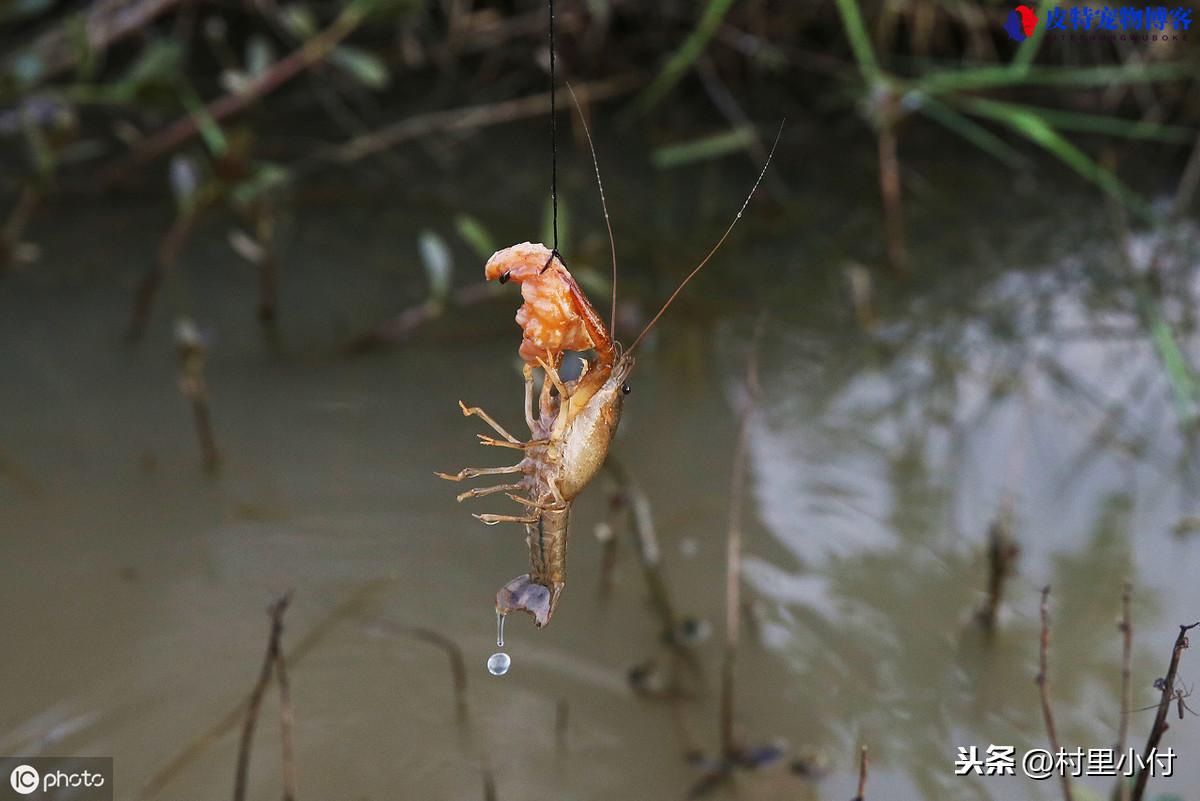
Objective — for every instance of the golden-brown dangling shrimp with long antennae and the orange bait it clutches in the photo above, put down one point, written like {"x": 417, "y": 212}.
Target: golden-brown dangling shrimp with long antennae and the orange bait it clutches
{"x": 575, "y": 420}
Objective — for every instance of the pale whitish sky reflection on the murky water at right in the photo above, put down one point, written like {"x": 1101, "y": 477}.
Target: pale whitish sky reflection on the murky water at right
{"x": 880, "y": 481}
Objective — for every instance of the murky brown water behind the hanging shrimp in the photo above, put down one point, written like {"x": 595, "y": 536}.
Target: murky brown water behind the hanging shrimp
{"x": 135, "y": 589}
